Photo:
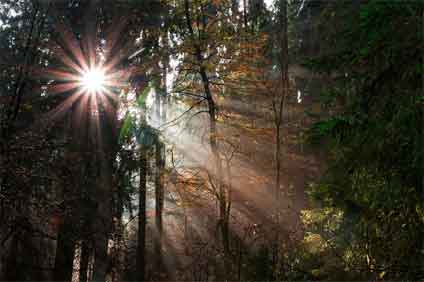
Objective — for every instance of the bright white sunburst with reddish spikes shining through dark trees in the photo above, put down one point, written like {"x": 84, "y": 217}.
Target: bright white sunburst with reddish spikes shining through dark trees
{"x": 89, "y": 77}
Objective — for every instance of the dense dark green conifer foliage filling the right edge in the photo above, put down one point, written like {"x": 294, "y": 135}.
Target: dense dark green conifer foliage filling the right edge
{"x": 375, "y": 141}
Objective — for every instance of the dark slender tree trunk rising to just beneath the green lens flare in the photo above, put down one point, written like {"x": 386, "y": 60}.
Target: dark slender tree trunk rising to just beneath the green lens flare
{"x": 141, "y": 244}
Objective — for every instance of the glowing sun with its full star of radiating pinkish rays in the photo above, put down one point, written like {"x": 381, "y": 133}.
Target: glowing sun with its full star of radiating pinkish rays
{"x": 91, "y": 75}
